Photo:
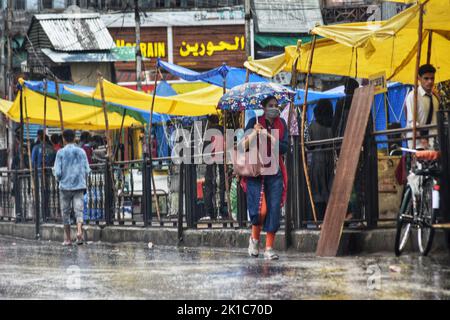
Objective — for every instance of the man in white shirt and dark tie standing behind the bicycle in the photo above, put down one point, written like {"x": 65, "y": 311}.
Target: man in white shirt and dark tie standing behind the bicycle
{"x": 427, "y": 105}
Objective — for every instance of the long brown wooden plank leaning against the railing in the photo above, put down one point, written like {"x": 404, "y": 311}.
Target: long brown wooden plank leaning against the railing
{"x": 345, "y": 172}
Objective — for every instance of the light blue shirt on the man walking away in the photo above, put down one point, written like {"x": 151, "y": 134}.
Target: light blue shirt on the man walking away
{"x": 71, "y": 168}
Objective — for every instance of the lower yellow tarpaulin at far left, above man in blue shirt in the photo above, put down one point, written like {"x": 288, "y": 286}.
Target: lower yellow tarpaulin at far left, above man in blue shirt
{"x": 75, "y": 116}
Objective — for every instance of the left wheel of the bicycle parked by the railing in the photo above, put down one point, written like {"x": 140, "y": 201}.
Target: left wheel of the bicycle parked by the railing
{"x": 404, "y": 222}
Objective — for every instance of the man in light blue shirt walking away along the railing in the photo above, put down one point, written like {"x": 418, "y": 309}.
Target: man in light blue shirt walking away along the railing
{"x": 71, "y": 170}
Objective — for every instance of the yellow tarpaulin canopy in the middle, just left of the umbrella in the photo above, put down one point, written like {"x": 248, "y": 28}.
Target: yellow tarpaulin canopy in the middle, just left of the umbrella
{"x": 195, "y": 103}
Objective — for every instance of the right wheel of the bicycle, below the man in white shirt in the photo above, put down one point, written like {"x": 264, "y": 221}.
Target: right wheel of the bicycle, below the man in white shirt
{"x": 425, "y": 232}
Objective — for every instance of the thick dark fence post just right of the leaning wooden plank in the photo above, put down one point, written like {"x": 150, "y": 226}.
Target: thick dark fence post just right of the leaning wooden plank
{"x": 370, "y": 176}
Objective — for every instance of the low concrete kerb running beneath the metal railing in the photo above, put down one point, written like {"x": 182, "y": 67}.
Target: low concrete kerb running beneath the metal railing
{"x": 352, "y": 242}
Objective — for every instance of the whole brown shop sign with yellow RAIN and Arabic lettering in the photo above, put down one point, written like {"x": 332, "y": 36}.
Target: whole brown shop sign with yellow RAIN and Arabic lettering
{"x": 196, "y": 47}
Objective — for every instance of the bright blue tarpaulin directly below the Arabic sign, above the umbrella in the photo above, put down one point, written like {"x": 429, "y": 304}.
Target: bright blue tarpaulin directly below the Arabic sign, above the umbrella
{"x": 233, "y": 76}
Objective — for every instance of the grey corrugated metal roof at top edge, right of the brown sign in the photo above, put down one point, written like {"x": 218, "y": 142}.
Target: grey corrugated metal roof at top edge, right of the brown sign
{"x": 286, "y": 16}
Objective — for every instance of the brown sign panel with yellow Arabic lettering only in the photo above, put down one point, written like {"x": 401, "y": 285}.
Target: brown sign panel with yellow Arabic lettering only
{"x": 208, "y": 47}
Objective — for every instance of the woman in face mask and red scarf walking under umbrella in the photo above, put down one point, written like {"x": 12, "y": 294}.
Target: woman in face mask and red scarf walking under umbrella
{"x": 266, "y": 194}
